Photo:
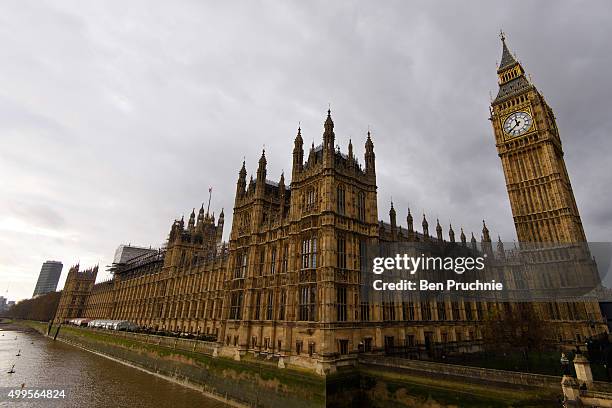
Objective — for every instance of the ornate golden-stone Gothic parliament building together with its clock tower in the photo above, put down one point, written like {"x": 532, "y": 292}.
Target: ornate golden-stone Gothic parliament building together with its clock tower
{"x": 288, "y": 281}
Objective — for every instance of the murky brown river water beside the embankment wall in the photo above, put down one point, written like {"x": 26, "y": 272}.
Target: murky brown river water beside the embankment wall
{"x": 88, "y": 380}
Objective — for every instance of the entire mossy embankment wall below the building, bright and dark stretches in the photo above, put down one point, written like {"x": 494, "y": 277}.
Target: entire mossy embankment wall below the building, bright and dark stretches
{"x": 259, "y": 383}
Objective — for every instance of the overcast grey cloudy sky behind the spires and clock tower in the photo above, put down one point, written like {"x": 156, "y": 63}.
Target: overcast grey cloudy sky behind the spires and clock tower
{"x": 116, "y": 117}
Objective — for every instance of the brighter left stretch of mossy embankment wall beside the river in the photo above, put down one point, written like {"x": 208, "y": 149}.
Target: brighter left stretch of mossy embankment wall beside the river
{"x": 250, "y": 382}
